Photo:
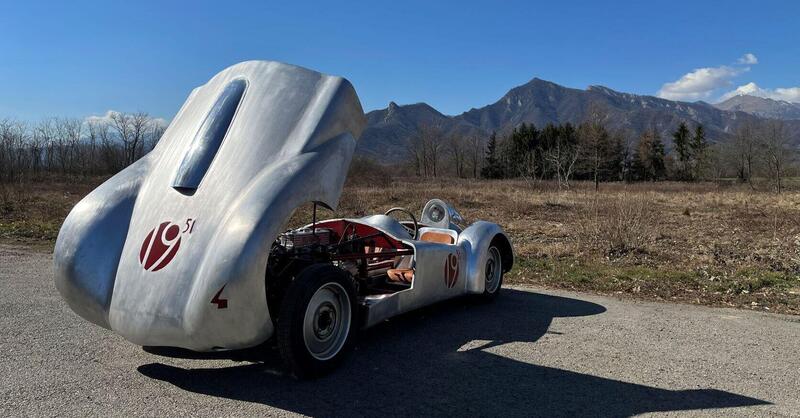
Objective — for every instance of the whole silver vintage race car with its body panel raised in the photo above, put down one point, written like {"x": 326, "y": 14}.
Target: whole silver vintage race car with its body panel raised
{"x": 185, "y": 247}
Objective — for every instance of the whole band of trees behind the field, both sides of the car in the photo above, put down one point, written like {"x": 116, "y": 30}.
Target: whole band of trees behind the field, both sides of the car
{"x": 561, "y": 153}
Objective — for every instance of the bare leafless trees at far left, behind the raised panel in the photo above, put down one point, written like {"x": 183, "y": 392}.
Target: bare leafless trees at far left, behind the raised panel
{"x": 75, "y": 147}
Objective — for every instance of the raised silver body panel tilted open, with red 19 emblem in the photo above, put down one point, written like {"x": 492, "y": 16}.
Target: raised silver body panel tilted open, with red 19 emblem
{"x": 206, "y": 208}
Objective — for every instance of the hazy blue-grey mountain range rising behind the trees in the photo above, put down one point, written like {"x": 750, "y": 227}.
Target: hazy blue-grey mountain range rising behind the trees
{"x": 541, "y": 102}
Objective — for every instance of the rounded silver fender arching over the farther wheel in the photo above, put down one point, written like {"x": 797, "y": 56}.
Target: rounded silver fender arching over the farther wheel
{"x": 476, "y": 240}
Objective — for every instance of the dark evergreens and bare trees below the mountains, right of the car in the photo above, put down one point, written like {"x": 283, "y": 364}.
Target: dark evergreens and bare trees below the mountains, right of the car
{"x": 591, "y": 151}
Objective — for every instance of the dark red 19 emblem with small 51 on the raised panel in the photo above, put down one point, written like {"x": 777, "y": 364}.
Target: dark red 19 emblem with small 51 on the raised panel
{"x": 162, "y": 243}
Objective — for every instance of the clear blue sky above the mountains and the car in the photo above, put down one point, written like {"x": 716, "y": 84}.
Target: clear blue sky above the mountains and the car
{"x": 82, "y": 58}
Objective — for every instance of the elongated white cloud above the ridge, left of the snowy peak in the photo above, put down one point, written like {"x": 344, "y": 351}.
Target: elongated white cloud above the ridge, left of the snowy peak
{"x": 700, "y": 83}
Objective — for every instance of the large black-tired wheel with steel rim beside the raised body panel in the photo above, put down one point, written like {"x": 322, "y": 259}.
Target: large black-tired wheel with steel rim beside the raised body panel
{"x": 323, "y": 283}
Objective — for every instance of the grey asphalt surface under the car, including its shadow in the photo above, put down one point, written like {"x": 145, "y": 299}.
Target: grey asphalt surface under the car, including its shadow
{"x": 532, "y": 352}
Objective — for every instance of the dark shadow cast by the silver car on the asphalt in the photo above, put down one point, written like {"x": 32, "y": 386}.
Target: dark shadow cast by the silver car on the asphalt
{"x": 439, "y": 361}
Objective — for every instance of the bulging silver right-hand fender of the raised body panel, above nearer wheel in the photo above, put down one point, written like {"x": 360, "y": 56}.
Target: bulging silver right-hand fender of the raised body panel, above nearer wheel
{"x": 238, "y": 257}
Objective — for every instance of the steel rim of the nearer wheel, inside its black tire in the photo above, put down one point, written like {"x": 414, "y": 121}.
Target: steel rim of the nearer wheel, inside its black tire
{"x": 327, "y": 321}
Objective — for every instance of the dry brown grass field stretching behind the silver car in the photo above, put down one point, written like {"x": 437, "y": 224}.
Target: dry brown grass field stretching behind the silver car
{"x": 697, "y": 243}
